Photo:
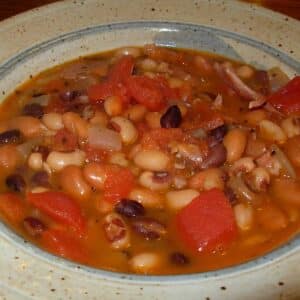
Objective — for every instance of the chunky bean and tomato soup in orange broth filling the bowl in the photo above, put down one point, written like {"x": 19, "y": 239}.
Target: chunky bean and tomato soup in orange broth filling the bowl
{"x": 153, "y": 160}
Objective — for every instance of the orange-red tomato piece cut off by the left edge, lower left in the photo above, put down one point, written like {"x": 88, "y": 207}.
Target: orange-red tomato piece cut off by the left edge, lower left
{"x": 12, "y": 207}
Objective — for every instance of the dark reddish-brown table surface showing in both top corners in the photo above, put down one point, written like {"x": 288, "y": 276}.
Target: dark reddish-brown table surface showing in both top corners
{"x": 13, "y": 7}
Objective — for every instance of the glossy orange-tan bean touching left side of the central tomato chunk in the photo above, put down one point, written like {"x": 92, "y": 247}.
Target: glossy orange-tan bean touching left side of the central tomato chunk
{"x": 95, "y": 175}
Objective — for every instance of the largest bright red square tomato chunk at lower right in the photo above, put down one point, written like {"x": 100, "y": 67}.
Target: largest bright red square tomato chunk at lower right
{"x": 207, "y": 222}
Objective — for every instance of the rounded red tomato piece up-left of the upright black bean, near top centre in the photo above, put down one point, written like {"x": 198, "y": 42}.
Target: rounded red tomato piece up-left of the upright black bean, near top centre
{"x": 146, "y": 91}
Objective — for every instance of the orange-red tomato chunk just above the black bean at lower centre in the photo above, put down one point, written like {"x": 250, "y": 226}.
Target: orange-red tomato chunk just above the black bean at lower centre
{"x": 118, "y": 184}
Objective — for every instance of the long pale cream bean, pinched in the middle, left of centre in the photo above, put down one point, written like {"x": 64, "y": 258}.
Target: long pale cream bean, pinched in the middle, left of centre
{"x": 58, "y": 160}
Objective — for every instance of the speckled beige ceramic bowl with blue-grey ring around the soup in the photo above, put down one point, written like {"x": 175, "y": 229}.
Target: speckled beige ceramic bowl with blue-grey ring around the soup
{"x": 44, "y": 37}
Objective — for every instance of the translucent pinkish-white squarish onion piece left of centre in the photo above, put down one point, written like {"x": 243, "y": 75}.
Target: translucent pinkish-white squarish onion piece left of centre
{"x": 107, "y": 139}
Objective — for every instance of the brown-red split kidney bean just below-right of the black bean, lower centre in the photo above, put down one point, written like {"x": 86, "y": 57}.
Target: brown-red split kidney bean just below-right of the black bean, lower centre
{"x": 149, "y": 228}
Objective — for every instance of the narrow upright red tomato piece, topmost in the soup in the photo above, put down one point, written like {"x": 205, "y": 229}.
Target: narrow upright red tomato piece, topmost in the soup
{"x": 122, "y": 69}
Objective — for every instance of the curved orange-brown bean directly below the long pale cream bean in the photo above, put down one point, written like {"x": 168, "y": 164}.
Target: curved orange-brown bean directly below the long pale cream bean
{"x": 72, "y": 182}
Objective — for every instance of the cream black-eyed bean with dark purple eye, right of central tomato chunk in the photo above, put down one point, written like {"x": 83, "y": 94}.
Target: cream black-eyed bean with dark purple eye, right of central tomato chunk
{"x": 151, "y": 181}
